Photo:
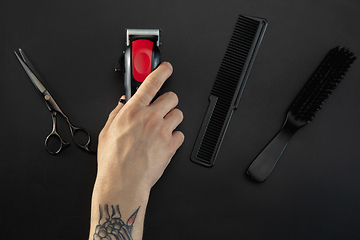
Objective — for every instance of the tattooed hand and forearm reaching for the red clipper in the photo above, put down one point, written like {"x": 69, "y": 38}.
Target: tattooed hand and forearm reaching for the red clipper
{"x": 135, "y": 146}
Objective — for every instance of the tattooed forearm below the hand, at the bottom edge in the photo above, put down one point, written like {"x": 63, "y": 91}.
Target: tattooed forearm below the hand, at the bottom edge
{"x": 117, "y": 212}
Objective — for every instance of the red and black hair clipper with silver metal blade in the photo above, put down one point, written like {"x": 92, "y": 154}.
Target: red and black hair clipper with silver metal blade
{"x": 141, "y": 57}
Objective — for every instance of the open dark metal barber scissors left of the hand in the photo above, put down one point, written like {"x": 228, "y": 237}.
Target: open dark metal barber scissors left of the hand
{"x": 54, "y": 110}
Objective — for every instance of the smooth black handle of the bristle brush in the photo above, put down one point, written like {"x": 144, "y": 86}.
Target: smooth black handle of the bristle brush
{"x": 262, "y": 166}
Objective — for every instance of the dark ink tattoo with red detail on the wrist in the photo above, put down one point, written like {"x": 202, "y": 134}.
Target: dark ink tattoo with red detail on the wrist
{"x": 111, "y": 226}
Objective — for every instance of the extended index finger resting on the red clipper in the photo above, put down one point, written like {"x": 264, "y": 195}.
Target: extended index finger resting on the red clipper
{"x": 153, "y": 83}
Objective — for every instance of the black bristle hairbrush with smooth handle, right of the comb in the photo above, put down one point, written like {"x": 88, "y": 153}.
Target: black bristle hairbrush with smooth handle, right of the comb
{"x": 304, "y": 108}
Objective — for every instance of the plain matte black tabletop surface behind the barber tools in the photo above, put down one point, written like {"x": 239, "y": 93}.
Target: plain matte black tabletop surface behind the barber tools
{"x": 314, "y": 191}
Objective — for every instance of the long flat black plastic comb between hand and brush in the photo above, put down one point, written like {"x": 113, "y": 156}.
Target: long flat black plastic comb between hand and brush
{"x": 228, "y": 87}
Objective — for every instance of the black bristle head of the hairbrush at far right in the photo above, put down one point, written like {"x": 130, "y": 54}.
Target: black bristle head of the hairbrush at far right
{"x": 321, "y": 84}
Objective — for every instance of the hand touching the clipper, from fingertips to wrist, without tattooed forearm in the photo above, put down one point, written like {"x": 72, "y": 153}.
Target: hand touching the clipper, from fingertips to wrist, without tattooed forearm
{"x": 138, "y": 140}
